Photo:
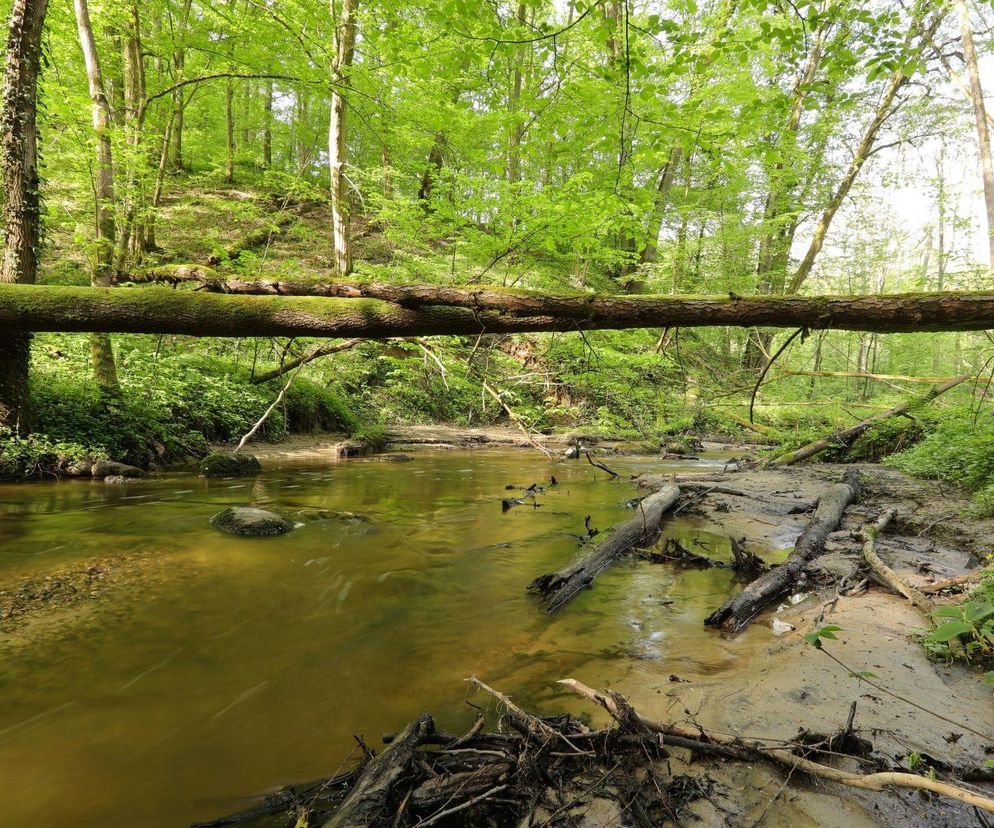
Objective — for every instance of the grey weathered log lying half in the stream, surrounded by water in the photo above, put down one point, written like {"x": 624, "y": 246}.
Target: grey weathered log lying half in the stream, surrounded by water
{"x": 560, "y": 587}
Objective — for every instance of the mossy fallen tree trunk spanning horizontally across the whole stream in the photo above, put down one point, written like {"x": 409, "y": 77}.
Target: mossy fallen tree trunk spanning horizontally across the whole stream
{"x": 444, "y": 311}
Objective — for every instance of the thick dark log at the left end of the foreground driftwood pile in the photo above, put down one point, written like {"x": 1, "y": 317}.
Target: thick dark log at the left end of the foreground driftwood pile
{"x": 367, "y": 802}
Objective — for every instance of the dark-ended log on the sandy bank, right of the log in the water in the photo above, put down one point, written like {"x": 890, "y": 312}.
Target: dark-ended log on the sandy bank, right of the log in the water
{"x": 736, "y": 613}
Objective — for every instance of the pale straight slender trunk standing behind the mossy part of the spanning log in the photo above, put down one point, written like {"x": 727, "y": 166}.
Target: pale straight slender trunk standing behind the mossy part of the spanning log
{"x": 345, "y": 50}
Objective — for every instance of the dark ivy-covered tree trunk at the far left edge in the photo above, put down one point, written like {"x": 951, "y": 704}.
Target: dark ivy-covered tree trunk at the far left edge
{"x": 22, "y": 204}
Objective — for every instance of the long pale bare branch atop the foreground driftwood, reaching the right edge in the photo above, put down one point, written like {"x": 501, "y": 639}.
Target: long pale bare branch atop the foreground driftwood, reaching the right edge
{"x": 749, "y": 750}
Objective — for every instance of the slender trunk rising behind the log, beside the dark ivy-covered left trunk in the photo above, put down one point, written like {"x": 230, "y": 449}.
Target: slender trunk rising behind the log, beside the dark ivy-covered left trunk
{"x": 104, "y": 369}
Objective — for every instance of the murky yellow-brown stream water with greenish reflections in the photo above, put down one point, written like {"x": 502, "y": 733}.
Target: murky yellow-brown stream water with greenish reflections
{"x": 233, "y": 666}
